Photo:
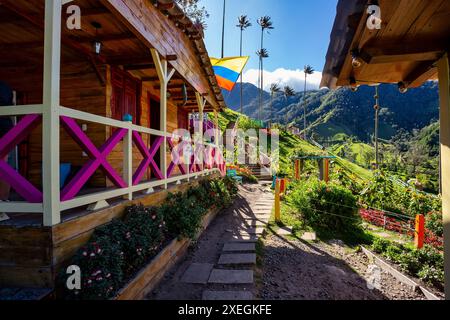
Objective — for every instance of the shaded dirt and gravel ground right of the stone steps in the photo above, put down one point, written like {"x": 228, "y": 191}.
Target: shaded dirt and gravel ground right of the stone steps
{"x": 298, "y": 270}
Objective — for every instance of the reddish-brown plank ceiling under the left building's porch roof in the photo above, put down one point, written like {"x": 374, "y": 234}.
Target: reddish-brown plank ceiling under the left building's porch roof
{"x": 21, "y": 44}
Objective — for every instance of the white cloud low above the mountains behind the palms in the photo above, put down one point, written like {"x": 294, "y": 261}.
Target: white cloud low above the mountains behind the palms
{"x": 293, "y": 78}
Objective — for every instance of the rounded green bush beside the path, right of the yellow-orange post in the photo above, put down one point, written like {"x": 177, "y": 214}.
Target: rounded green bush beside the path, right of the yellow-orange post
{"x": 327, "y": 206}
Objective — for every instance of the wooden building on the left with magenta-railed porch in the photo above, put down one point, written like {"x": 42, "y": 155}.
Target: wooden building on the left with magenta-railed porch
{"x": 101, "y": 101}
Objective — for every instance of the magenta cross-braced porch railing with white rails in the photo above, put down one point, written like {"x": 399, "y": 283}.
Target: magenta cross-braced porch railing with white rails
{"x": 201, "y": 158}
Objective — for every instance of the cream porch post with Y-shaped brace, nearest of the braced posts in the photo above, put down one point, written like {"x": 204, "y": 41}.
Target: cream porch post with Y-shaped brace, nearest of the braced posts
{"x": 164, "y": 75}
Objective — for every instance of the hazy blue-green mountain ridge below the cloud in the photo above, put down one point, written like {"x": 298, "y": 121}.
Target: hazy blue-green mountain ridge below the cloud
{"x": 332, "y": 112}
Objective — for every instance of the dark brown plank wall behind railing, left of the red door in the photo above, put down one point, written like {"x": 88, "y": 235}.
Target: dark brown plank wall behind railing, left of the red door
{"x": 81, "y": 90}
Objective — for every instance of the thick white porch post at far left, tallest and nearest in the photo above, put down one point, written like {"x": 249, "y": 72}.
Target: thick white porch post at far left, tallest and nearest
{"x": 51, "y": 103}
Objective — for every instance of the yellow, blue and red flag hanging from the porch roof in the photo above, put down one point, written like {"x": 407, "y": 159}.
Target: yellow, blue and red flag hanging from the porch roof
{"x": 228, "y": 70}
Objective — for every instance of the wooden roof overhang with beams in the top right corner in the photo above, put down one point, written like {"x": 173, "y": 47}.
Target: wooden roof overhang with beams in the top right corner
{"x": 413, "y": 36}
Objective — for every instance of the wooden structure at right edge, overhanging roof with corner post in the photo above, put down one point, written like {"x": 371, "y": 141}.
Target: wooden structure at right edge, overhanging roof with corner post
{"x": 407, "y": 46}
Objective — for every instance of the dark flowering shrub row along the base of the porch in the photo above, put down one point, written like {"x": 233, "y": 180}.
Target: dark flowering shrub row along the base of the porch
{"x": 117, "y": 250}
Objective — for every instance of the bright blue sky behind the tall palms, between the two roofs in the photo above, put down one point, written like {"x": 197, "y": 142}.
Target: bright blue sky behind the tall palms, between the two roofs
{"x": 301, "y": 35}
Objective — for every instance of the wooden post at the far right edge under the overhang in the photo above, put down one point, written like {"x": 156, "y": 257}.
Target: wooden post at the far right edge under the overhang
{"x": 444, "y": 95}
